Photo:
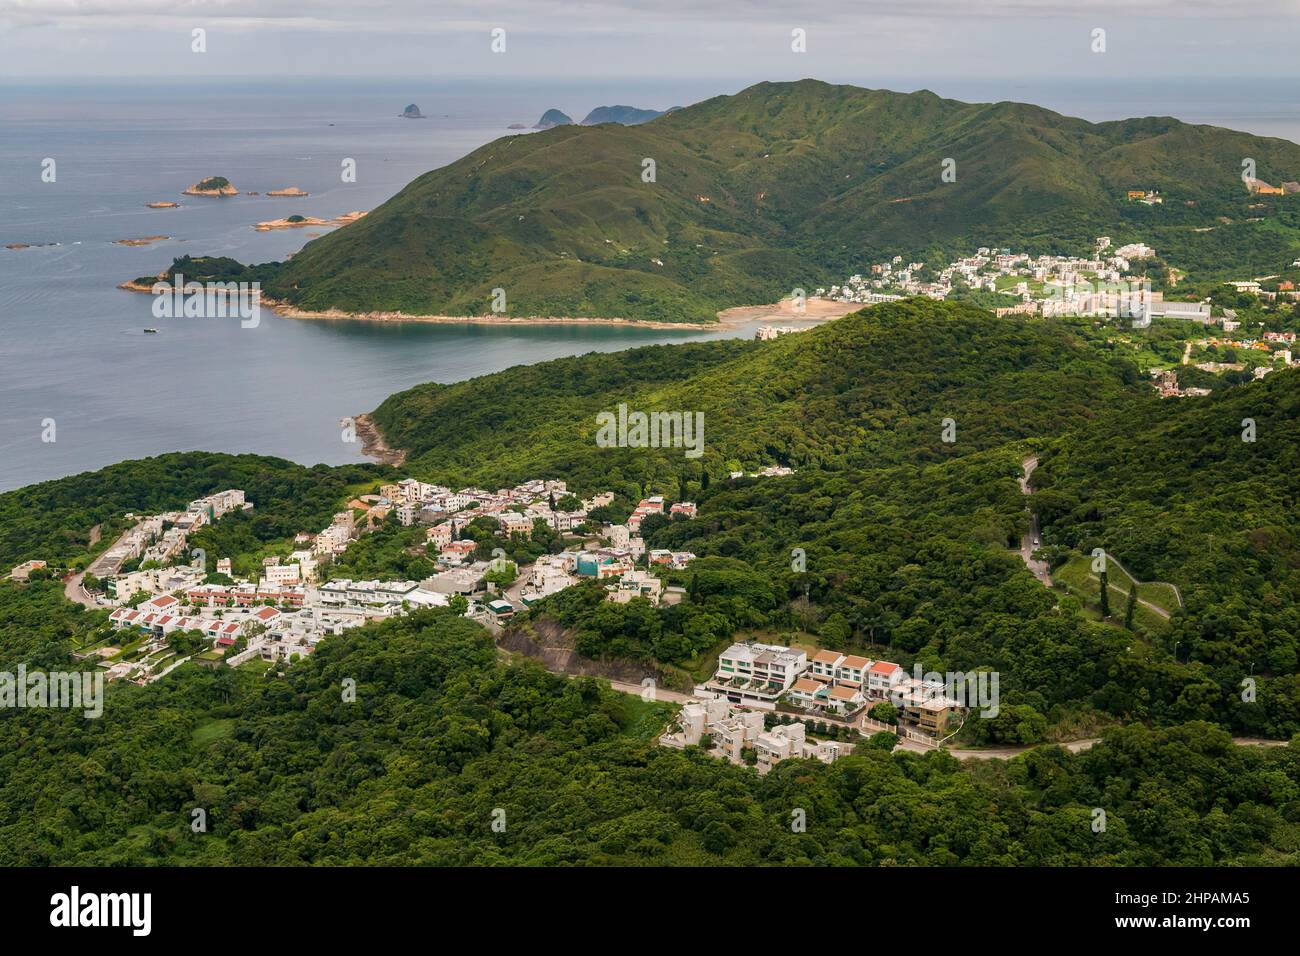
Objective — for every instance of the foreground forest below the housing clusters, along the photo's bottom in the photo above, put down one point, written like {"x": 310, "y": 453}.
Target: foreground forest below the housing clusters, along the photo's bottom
{"x": 449, "y": 756}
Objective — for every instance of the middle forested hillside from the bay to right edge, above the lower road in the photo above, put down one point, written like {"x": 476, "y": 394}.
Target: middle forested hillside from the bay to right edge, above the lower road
{"x": 908, "y": 537}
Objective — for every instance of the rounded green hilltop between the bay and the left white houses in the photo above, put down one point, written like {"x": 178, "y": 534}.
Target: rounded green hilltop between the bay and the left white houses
{"x": 868, "y": 391}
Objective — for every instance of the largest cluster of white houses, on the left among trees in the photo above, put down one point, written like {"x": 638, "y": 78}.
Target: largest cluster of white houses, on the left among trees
{"x": 159, "y": 589}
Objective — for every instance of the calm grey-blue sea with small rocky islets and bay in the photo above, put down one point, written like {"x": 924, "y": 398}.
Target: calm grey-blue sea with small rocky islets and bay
{"x": 83, "y": 384}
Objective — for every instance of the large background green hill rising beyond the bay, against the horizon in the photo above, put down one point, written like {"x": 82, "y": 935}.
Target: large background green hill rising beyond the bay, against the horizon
{"x": 783, "y": 187}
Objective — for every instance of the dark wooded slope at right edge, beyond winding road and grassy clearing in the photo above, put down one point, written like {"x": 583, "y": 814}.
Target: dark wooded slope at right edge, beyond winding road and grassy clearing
{"x": 1184, "y": 499}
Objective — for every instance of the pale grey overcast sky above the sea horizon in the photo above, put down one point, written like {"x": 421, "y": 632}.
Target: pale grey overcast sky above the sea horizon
{"x": 738, "y": 41}
